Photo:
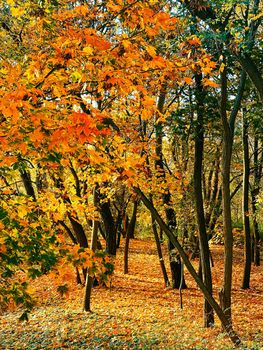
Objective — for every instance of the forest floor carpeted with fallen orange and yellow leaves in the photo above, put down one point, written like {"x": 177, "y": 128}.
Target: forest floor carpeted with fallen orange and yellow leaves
{"x": 137, "y": 312}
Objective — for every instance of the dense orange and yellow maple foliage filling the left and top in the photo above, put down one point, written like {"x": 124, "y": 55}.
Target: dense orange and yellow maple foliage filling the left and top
{"x": 92, "y": 95}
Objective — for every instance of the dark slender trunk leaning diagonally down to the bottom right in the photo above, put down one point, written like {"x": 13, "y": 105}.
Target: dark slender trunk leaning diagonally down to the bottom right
{"x": 172, "y": 236}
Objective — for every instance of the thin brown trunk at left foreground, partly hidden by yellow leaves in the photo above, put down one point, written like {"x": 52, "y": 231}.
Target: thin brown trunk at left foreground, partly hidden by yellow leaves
{"x": 93, "y": 246}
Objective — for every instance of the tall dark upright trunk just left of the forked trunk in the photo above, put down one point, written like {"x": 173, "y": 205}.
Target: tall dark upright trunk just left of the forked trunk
{"x": 199, "y": 206}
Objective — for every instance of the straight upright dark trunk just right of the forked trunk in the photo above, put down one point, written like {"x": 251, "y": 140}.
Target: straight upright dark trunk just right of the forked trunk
{"x": 247, "y": 245}
